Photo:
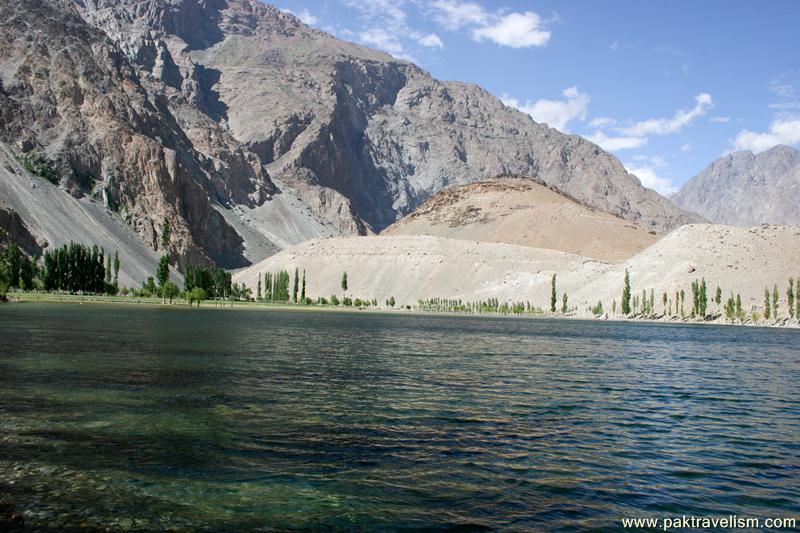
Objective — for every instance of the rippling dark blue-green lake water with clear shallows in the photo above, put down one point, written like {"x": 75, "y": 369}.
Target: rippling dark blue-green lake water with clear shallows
{"x": 136, "y": 418}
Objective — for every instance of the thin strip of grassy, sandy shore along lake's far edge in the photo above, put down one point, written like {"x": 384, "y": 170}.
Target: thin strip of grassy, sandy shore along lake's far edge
{"x": 74, "y": 299}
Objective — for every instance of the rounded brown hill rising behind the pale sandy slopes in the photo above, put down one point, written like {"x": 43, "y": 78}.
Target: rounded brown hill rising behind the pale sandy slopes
{"x": 524, "y": 212}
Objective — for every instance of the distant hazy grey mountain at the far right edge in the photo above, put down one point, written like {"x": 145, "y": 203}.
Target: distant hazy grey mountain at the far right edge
{"x": 743, "y": 189}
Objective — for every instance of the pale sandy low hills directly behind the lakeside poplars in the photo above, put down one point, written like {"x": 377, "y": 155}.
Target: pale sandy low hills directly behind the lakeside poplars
{"x": 738, "y": 260}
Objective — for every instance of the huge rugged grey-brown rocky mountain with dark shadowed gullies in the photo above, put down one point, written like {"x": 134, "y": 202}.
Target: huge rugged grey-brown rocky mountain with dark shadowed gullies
{"x": 251, "y": 132}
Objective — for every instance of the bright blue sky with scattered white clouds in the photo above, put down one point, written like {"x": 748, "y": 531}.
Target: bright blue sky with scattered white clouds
{"x": 667, "y": 86}
